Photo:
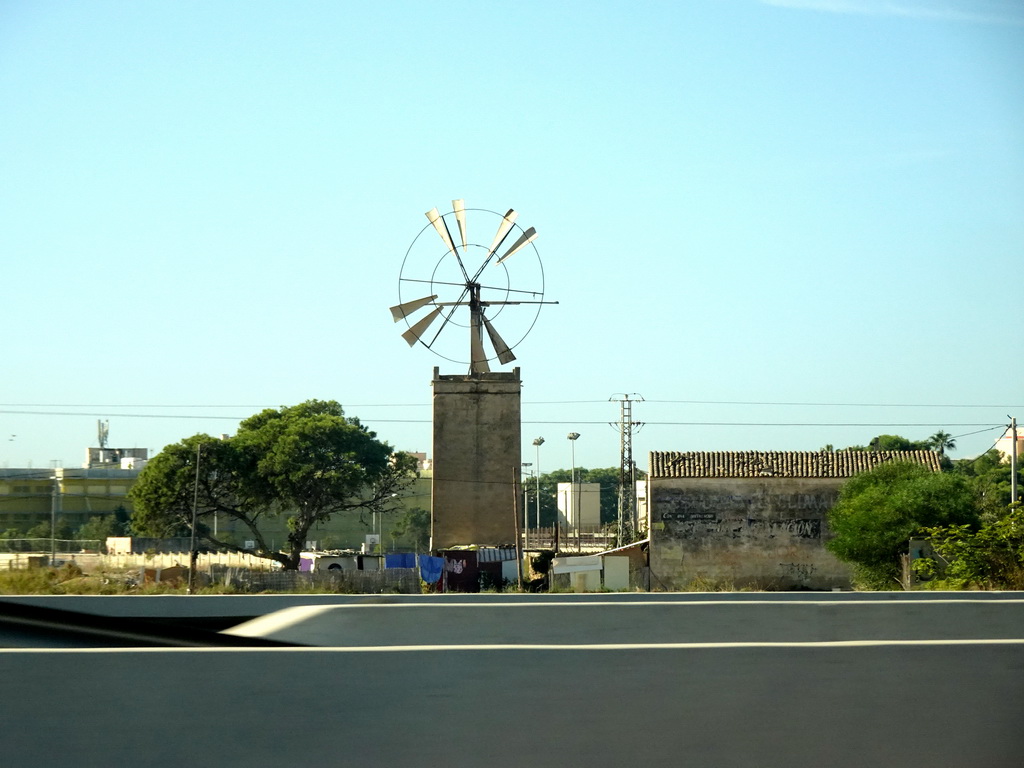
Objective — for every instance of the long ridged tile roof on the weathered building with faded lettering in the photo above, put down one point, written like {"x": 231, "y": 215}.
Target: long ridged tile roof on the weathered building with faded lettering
{"x": 781, "y": 463}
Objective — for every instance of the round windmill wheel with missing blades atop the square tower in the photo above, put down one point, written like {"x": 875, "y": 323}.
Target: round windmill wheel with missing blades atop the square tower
{"x": 455, "y": 287}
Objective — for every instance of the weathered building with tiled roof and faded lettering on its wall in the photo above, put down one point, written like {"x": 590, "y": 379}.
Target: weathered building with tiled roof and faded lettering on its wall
{"x": 752, "y": 519}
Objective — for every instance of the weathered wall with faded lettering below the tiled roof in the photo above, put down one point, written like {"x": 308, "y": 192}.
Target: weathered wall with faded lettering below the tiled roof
{"x": 767, "y": 533}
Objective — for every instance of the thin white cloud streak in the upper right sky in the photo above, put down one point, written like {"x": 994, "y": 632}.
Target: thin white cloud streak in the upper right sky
{"x": 975, "y": 12}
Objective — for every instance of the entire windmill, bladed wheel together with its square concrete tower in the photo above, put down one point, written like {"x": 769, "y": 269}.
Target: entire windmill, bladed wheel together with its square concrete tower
{"x": 447, "y": 288}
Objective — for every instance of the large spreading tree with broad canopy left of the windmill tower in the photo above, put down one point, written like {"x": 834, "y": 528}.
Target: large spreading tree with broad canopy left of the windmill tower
{"x": 305, "y": 463}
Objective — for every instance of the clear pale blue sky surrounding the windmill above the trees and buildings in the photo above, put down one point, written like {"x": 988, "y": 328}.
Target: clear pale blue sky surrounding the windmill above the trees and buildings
{"x": 742, "y": 205}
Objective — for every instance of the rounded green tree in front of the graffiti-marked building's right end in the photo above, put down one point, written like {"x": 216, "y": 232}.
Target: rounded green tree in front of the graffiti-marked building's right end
{"x": 879, "y": 511}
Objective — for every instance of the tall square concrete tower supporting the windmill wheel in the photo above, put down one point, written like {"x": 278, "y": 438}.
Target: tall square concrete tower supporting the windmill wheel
{"x": 477, "y": 448}
